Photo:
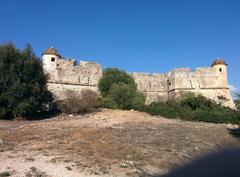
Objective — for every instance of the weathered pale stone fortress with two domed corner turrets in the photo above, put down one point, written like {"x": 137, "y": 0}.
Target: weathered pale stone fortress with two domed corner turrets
{"x": 210, "y": 82}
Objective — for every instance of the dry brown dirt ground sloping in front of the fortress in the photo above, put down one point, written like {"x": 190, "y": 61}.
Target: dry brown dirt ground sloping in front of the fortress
{"x": 105, "y": 143}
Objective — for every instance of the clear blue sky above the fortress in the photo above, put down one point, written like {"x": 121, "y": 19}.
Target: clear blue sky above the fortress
{"x": 134, "y": 35}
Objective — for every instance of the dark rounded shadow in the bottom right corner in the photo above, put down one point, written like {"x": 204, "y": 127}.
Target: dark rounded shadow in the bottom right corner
{"x": 208, "y": 166}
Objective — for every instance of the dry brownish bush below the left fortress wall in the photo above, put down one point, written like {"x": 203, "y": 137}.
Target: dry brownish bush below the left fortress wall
{"x": 75, "y": 103}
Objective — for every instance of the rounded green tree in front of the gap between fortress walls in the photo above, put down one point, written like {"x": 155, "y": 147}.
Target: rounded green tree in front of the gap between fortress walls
{"x": 119, "y": 91}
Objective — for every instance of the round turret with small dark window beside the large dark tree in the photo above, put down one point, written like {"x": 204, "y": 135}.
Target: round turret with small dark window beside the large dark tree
{"x": 50, "y": 57}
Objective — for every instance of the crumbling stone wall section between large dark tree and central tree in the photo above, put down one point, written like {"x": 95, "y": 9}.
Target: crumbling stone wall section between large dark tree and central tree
{"x": 65, "y": 74}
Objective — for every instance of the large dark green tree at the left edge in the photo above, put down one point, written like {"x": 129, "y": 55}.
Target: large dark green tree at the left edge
{"x": 23, "y": 89}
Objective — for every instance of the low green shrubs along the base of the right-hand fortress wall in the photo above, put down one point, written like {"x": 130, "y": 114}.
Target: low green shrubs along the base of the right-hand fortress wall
{"x": 194, "y": 108}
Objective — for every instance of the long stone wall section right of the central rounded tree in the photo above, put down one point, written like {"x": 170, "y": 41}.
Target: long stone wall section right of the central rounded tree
{"x": 209, "y": 82}
